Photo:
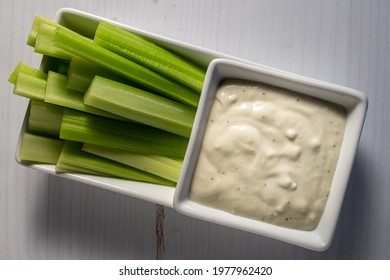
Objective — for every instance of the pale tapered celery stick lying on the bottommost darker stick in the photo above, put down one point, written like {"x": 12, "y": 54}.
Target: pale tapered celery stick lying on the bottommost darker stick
{"x": 165, "y": 167}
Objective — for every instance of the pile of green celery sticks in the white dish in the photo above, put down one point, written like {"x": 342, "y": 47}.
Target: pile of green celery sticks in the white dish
{"x": 115, "y": 105}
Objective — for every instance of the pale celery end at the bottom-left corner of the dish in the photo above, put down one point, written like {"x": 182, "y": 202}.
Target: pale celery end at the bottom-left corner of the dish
{"x": 39, "y": 149}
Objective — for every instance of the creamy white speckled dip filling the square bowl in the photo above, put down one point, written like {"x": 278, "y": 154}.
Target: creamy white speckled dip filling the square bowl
{"x": 269, "y": 154}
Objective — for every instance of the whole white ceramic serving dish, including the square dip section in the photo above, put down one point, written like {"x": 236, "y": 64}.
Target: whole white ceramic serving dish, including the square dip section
{"x": 220, "y": 66}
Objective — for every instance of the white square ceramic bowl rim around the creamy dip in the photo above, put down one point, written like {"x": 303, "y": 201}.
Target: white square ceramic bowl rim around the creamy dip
{"x": 355, "y": 103}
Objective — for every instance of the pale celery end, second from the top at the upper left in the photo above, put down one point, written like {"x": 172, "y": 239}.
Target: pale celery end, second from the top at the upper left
{"x": 44, "y": 43}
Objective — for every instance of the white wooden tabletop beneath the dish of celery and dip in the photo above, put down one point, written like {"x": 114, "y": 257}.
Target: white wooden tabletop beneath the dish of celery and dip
{"x": 346, "y": 42}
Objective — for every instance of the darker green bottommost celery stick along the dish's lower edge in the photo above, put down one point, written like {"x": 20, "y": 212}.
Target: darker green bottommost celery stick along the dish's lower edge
{"x": 72, "y": 155}
